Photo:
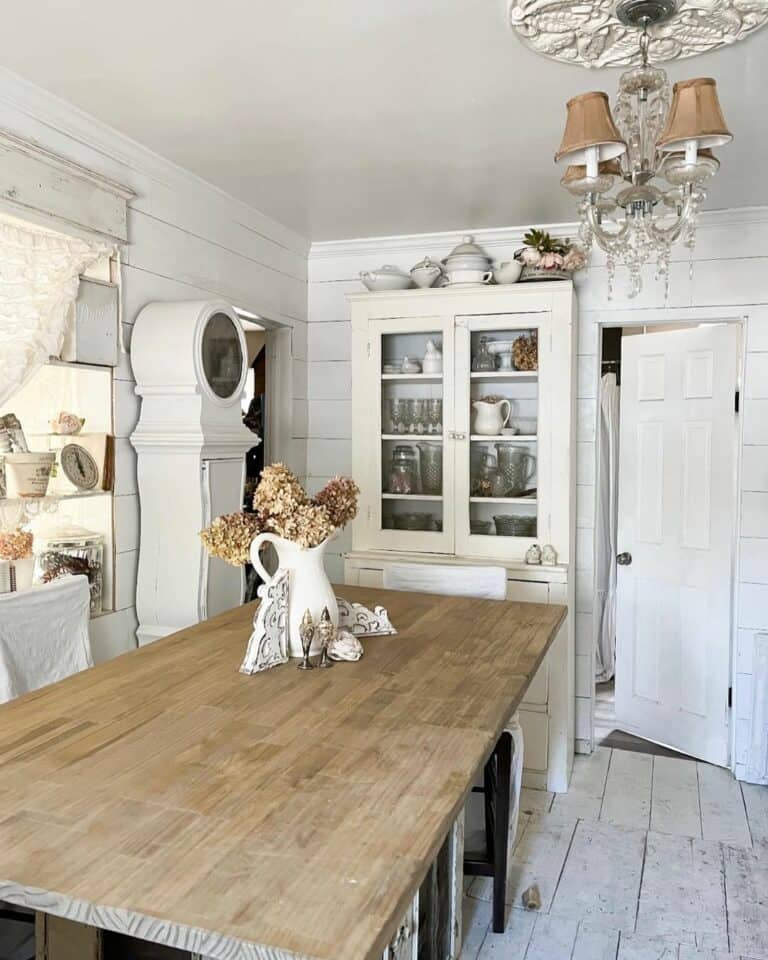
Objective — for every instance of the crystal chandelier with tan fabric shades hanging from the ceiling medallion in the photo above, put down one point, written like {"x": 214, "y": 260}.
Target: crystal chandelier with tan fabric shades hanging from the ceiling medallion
{"x": 652, "y": 136}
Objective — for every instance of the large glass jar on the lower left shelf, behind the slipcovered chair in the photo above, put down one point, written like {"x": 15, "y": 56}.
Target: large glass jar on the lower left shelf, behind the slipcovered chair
{"x": 72, "y": 550}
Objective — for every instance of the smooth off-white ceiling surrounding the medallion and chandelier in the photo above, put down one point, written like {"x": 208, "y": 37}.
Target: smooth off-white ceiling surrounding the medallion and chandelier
{"x": 350, "y": 118}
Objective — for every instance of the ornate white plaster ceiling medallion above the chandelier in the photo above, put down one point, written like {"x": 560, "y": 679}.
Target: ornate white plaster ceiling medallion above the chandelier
{"x": 589, "y": 32}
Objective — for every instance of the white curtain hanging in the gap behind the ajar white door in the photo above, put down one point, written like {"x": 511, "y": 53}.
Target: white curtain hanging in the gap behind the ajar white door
{"x": 607, "y": 526}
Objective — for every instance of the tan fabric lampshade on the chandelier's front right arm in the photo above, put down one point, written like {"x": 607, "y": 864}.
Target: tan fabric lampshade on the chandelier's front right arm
{"x": 695, "y": 114}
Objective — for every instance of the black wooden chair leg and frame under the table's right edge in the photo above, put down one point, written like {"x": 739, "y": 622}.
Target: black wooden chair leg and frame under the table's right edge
{"x": 497, "y": 788}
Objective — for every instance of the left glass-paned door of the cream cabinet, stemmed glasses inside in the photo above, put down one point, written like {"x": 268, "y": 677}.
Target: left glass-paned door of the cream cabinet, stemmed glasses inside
{"x": 413, "y": 361}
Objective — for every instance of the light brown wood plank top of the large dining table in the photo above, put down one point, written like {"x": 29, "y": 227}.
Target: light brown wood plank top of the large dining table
{"x": 166, "y": 795}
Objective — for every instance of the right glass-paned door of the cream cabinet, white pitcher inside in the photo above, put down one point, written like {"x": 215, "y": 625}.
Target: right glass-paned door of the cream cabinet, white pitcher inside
{"x": 499, "y": 413}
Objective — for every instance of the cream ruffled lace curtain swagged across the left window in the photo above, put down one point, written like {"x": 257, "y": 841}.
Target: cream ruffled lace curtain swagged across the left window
{"x": 39, "y": 277}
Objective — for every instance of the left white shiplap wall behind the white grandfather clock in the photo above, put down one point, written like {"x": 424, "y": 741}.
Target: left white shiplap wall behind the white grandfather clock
{"x": 187, "y": 240}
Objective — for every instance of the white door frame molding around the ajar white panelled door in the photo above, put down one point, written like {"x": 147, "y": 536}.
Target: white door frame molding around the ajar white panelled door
{"x": 660, "y": 316}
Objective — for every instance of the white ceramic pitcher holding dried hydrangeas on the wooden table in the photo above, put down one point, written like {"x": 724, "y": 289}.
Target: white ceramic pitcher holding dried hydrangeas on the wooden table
{"x": 309, "y": 587}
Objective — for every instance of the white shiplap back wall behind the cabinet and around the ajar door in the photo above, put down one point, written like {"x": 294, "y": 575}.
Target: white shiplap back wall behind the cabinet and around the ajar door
{"x": 725, "y": 277}
